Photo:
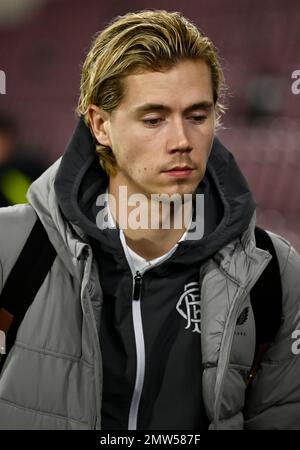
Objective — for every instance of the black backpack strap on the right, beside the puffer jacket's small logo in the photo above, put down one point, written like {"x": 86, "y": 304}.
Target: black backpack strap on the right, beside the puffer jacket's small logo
{"x": 266, "y": 301}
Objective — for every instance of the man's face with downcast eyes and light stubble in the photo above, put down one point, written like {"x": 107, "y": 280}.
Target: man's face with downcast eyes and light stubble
{"x": 165, "y": 120}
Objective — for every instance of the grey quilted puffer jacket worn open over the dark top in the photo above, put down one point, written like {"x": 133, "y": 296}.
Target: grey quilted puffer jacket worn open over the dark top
{"x": 52, "y": 378}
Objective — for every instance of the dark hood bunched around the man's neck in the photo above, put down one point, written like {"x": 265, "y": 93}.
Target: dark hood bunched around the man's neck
{"x": 79, "y": 179}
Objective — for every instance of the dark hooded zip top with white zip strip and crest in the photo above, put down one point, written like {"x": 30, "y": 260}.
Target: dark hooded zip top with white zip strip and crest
{"x": 154, "y": 383}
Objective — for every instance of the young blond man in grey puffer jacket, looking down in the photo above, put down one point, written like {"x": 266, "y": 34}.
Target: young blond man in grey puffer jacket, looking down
{"x": 150, "y": 327}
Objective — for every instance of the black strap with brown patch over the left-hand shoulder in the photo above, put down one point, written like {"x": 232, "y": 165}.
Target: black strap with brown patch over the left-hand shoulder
{"x": 24, "y": 281}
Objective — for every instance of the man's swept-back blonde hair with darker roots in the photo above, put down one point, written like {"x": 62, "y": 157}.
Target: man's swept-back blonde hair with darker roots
{"x": 145, "y": 40}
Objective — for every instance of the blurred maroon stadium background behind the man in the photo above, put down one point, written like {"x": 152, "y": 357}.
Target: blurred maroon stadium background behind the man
{"x": 43, "y": 44}
